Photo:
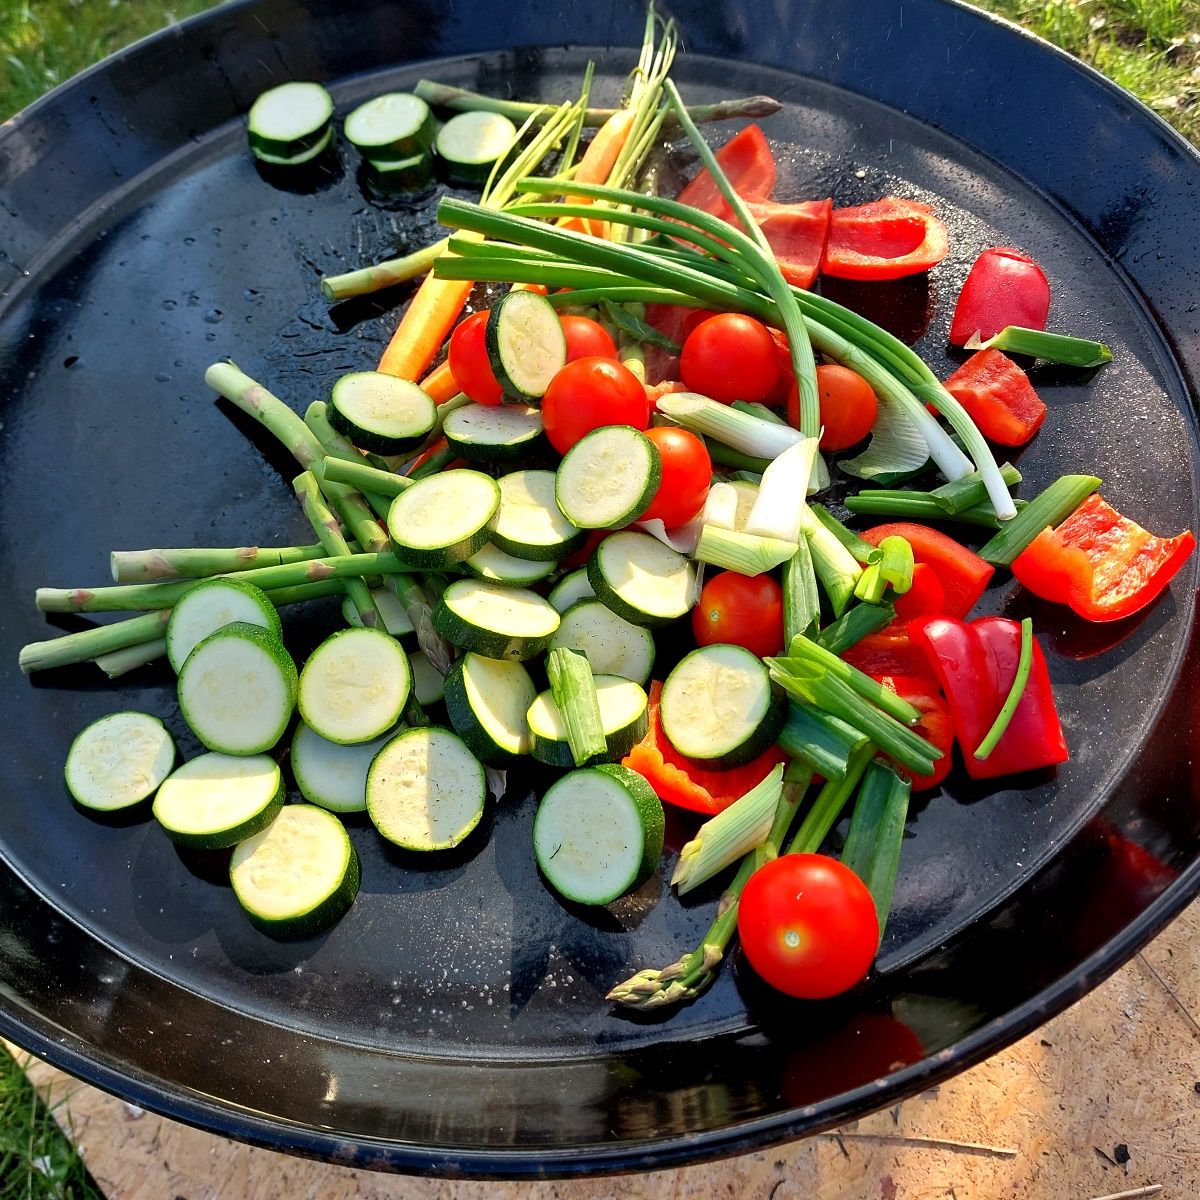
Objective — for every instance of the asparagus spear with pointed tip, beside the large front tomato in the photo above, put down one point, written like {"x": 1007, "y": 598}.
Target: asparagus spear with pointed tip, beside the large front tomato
{"x": 692, "y": 975}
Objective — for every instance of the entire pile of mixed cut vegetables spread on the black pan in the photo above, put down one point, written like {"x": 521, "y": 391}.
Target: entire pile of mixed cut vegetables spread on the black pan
{"x": 592, "y": 503}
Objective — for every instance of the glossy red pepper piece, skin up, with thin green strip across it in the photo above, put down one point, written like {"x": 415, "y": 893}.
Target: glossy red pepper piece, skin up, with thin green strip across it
{"x": 976, "y": 665}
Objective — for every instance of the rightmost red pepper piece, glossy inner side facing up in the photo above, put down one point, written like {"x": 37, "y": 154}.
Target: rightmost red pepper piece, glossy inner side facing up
{"x": 1102, "y": 565}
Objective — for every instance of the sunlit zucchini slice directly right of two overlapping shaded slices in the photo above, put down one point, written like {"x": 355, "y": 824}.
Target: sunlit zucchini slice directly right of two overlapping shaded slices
{"x": 355, "y": 686}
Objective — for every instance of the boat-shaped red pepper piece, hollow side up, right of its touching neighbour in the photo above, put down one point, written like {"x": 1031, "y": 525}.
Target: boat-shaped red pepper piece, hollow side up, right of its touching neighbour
{"x": 886, "y": 239}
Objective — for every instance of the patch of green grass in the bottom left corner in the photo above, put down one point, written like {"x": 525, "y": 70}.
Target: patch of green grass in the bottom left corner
{"x": 38, "y": 1162}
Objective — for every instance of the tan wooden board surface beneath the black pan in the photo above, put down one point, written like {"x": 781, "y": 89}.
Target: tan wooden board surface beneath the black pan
{"x": 1103, "y": 1101}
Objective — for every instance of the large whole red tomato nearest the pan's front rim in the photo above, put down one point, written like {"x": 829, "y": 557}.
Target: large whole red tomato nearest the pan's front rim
{"x": 808, "y": 926}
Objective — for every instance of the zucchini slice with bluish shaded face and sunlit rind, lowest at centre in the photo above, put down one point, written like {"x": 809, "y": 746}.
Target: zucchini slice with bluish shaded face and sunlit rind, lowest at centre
{"x": 598, "y": 833}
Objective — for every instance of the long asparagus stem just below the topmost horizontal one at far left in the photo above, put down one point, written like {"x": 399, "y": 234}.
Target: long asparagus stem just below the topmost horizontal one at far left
{"x": 149, "y": 597}
